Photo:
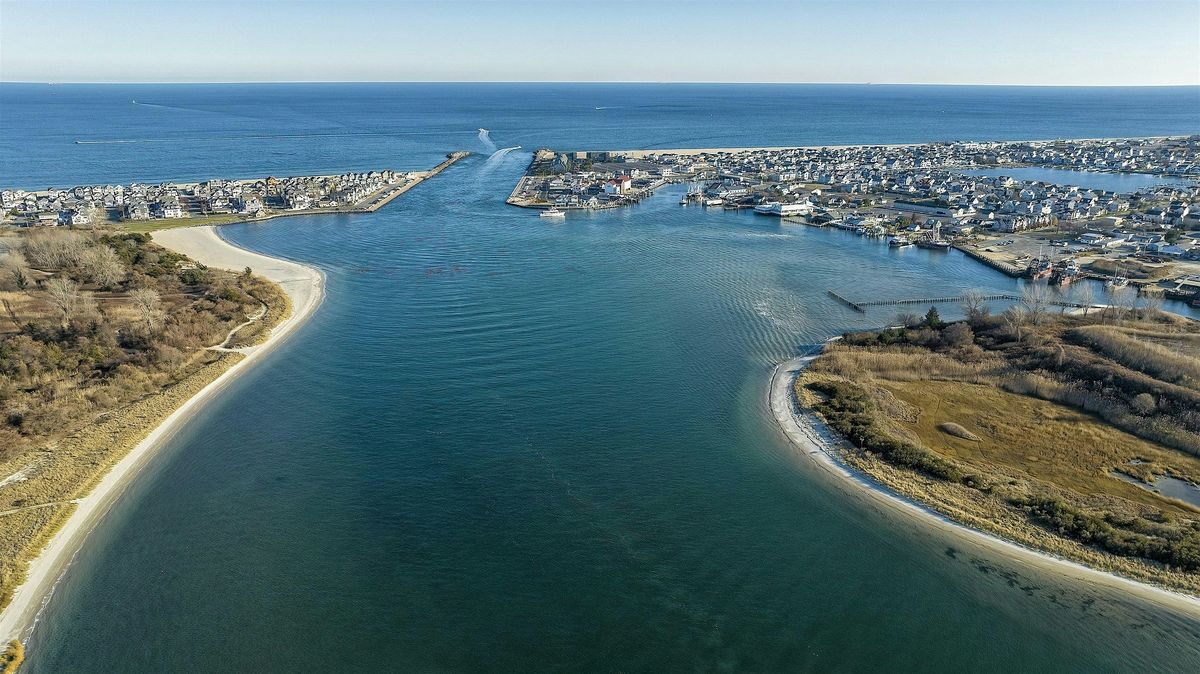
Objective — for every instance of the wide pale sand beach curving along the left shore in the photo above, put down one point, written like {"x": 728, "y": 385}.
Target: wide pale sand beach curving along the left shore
{"x": 305, "y": 286}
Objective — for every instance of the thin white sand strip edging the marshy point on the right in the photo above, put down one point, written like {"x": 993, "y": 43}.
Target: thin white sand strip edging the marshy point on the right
{"x": 809, "y": 436}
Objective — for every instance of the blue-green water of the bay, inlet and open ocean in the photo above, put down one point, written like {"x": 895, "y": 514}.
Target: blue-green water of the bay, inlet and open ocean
{"x": 503, "y": 446}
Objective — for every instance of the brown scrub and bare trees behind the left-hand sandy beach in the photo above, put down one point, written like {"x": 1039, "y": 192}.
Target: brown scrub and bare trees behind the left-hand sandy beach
{"x": 105, "y": 336}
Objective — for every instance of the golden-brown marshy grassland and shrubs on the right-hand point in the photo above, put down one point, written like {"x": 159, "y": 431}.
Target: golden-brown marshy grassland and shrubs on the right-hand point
{"x": 1017, "y": 424}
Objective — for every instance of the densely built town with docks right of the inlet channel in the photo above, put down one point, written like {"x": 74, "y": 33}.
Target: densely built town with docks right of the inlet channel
{"x": 937, "y": 196}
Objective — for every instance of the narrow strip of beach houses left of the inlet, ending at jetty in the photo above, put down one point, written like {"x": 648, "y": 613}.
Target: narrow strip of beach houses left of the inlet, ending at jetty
{"x": 98, "y": 204}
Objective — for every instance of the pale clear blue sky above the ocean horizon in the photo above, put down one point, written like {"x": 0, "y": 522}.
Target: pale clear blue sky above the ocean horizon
{"x": 1095, "y": 43}
